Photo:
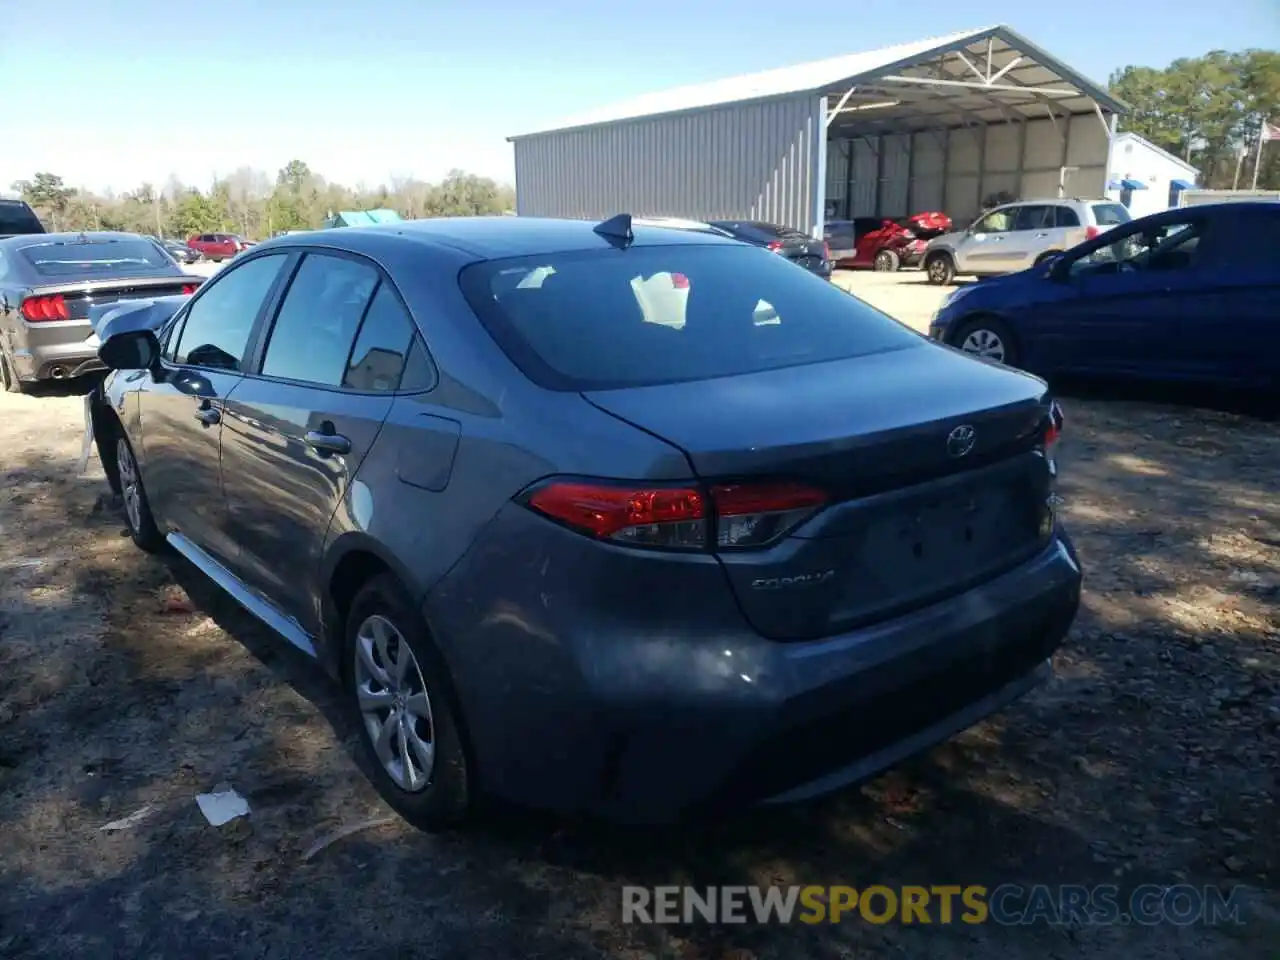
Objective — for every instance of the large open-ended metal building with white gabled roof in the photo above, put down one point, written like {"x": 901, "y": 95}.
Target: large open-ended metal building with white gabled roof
{"x": 939, "y": 125}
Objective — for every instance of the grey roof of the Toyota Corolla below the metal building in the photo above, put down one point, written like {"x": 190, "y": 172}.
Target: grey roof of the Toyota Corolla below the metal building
{"x": 490, "y": 237}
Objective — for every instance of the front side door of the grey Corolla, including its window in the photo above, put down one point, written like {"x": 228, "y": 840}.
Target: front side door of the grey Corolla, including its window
{"x": 182, "y": 408}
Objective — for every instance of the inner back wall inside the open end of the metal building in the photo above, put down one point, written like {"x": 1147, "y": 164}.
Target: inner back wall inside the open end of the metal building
{"x": 956, "y": 171}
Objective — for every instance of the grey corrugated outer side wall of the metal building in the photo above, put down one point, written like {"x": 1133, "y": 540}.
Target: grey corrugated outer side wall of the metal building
{"x": 756, "y": 161}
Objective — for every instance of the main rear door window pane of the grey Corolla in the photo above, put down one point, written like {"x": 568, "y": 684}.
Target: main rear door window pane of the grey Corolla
{"x": 317, "y": 324}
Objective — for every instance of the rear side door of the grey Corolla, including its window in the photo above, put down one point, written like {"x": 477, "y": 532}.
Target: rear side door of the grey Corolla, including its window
{"x": 300, "y": 426}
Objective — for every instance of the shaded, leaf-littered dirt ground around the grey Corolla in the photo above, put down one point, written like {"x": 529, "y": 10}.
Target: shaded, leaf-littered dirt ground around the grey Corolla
{"x": 1153, "y": 757}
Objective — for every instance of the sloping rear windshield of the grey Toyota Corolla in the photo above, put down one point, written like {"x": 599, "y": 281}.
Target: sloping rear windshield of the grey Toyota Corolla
{"x": 651, "y": 316}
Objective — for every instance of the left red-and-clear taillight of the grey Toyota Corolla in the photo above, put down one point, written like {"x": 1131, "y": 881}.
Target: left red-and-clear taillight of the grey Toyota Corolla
{"x": 678, "y": 518}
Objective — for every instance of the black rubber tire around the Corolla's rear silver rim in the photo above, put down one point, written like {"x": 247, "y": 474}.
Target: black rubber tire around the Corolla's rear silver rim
{"x": 447, "y": 799}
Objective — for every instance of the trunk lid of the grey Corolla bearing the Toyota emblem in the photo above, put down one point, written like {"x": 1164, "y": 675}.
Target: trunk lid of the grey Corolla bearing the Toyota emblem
{"x": 911, "y": 519}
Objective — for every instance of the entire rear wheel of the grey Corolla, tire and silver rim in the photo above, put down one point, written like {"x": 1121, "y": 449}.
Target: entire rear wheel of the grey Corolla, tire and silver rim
{"x": 403, "y": 700}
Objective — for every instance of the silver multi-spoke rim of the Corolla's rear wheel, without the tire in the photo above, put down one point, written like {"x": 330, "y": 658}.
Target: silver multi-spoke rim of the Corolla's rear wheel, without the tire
{"x": 395, "y": 705}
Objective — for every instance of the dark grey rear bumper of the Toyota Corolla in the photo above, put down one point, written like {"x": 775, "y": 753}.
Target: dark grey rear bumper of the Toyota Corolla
{"x": 588, "y": 689}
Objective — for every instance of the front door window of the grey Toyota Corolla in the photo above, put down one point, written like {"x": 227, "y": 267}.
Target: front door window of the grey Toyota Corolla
{"x": 221, "y": 319}
